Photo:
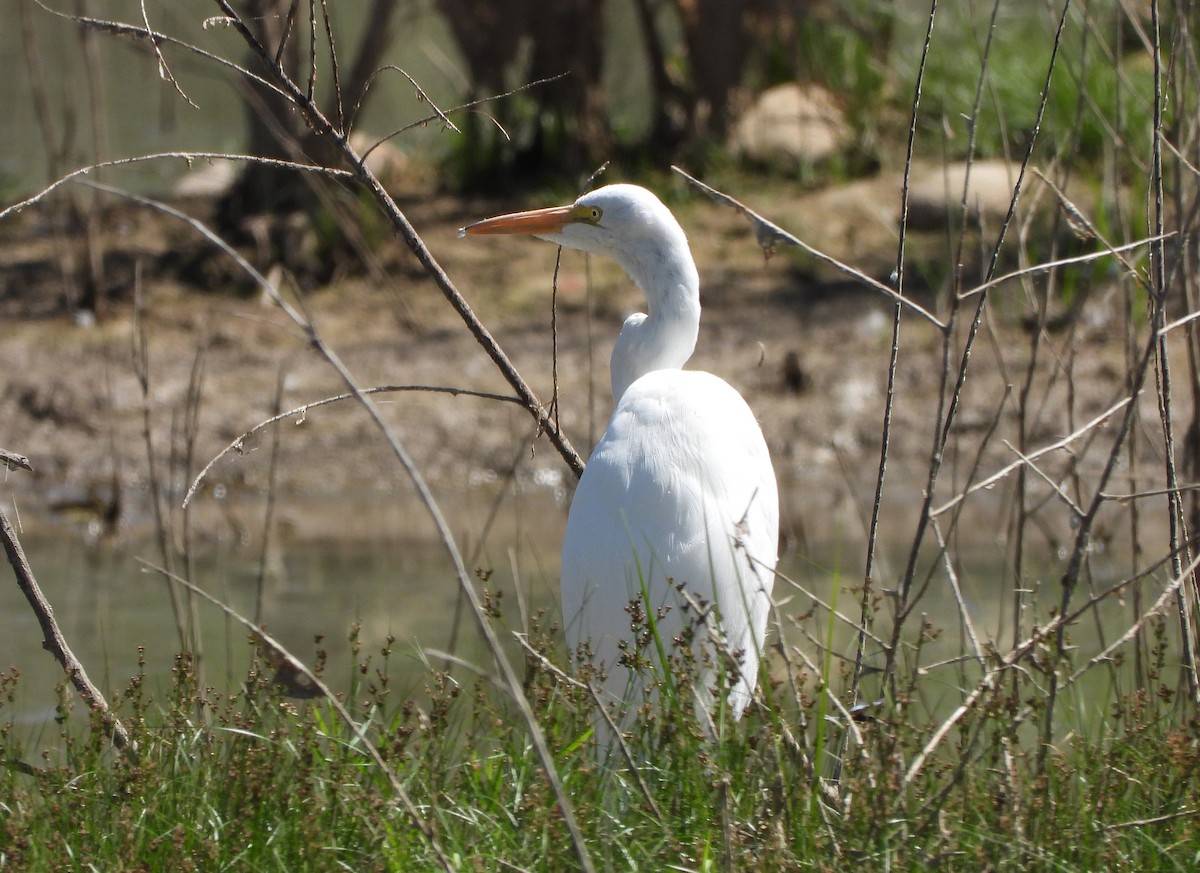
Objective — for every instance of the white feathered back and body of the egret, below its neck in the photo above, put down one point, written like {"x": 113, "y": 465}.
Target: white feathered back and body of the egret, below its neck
{"x": 679, "y": 492}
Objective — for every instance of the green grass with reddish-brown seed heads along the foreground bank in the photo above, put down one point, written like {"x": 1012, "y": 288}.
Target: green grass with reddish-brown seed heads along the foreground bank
{"x": 254, "y": 781}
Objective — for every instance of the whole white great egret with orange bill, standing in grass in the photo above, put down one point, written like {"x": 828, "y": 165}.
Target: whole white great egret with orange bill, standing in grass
{"x": 680, "y": 493}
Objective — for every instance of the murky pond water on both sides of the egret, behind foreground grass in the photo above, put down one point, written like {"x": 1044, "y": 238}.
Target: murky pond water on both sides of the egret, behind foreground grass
{"x": 110, "y": 604}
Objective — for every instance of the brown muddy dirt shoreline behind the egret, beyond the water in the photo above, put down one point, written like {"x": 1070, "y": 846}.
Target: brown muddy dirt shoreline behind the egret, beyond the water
{"x": 808, "y": 351}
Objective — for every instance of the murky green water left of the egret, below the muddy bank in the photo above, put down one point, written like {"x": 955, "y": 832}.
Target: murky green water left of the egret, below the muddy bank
{"x": 110, "y": 604}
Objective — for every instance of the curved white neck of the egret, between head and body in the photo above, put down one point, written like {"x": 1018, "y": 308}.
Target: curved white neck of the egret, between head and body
{"x": 665, "y": 336}
